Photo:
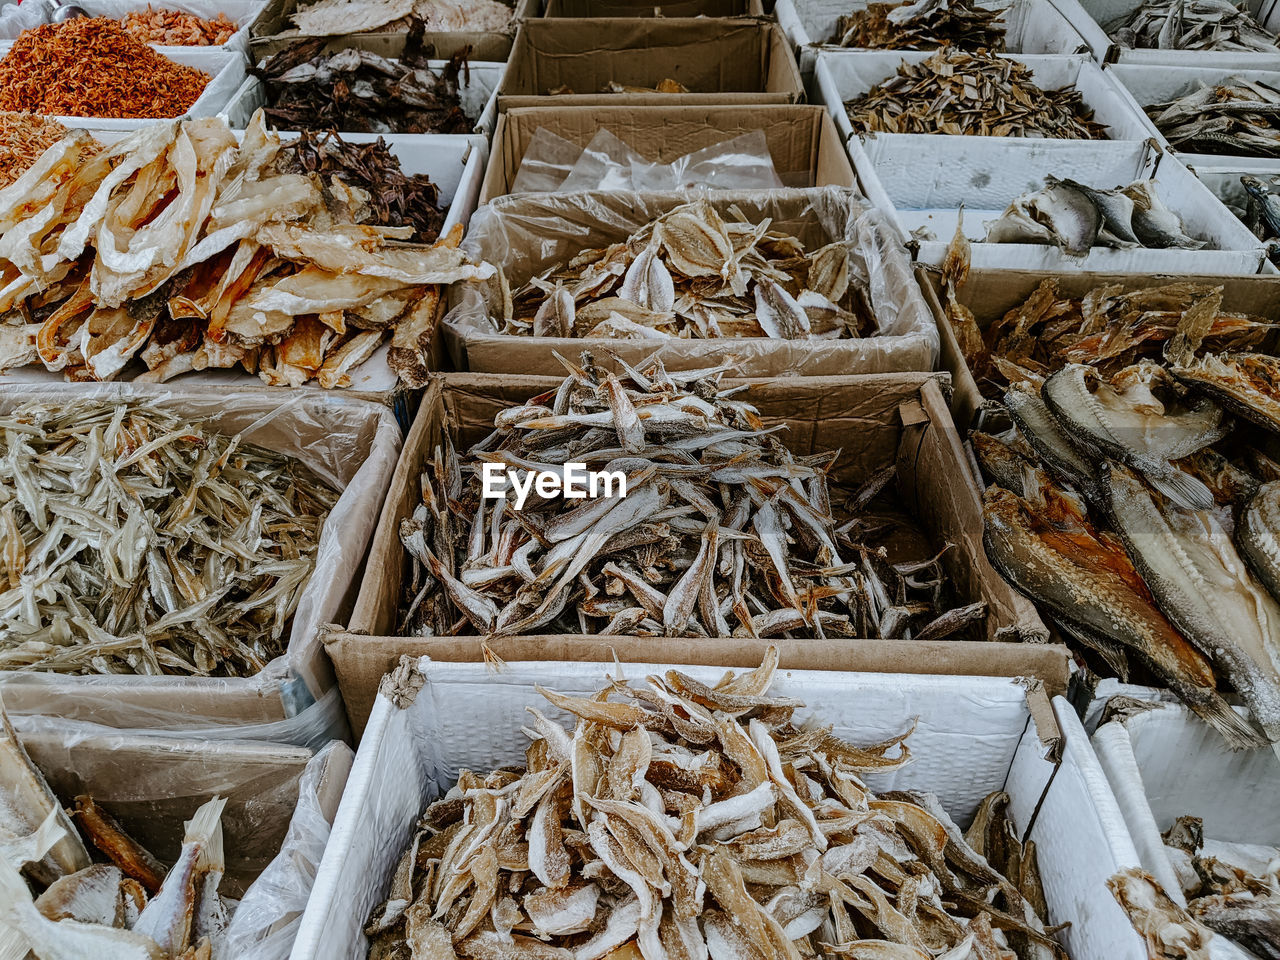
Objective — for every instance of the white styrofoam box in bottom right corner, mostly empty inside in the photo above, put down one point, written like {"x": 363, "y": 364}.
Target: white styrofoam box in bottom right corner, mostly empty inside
{"x": 1226, "y": 789}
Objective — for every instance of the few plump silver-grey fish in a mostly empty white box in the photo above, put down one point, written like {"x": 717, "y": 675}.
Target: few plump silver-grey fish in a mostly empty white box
{"x": 1077, "y": 218}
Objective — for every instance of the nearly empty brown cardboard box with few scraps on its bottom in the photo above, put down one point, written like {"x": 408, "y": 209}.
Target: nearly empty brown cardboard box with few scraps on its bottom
{"x": 719, "y": 61}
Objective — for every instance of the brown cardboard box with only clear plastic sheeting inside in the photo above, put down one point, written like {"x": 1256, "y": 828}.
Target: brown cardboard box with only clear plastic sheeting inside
{"x": 803, "y": 140}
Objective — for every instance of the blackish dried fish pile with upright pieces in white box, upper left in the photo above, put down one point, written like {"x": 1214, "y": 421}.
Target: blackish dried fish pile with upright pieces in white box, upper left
{"x": 362, "y": 93}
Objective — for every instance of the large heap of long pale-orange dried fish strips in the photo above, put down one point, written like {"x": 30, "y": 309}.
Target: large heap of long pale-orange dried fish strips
{"x": 189, "y": 252}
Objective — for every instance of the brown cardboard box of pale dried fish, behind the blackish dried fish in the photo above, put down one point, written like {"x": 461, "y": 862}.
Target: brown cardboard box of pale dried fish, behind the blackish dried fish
{"x": 269, "y": 35}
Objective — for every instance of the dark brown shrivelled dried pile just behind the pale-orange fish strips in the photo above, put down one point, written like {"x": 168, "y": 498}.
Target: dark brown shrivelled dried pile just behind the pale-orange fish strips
{"x": 395, "y": 198}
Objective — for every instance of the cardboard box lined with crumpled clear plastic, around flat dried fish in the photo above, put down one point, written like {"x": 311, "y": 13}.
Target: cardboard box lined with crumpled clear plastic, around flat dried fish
{"x": 528, "y": 235}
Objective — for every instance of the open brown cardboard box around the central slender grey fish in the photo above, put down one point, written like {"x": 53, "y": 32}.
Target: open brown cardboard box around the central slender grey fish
{"x": 876, "y": 420}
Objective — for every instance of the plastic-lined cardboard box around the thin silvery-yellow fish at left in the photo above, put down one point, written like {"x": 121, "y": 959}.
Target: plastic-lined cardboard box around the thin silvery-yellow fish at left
{"x": 353, "y": 445}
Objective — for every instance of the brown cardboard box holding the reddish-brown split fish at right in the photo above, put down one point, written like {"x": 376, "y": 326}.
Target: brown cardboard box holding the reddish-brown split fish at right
{"x": 993, "y": 294}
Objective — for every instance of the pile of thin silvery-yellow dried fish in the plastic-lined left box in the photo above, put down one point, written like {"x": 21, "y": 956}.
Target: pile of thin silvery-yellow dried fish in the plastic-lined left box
{"x": 136, "y": 542}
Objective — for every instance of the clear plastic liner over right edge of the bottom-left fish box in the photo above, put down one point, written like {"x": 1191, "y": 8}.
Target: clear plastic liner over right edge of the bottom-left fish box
{"x": 271, "y": 912}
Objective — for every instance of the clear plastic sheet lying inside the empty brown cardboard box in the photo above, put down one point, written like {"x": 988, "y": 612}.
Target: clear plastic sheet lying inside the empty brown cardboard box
{"x": 556, "y": 166}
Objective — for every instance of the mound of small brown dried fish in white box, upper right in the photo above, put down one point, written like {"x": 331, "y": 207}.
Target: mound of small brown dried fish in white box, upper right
{"x": 972, "y": 94}
